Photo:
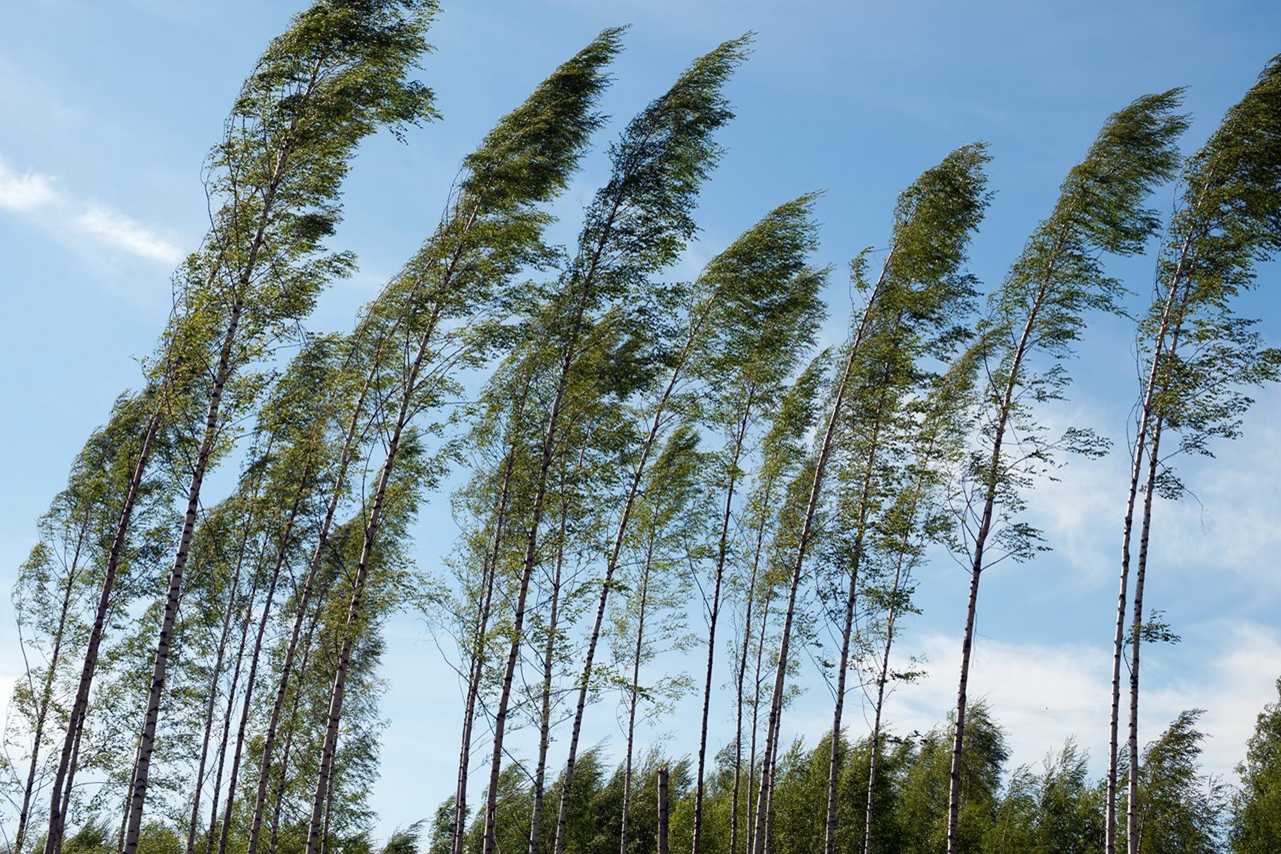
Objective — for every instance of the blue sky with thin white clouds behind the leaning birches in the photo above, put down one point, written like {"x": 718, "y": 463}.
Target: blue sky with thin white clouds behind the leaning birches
{"x": 110, "y": 109}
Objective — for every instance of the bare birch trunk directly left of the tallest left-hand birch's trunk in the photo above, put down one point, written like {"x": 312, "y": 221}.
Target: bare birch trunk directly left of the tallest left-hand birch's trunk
{"x": 66, "y": 773}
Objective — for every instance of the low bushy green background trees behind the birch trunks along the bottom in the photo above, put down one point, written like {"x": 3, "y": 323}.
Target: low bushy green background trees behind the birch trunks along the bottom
{"x": 1051, "y": 810}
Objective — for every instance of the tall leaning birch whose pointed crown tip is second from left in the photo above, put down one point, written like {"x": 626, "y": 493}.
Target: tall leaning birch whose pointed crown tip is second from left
{"x": 493, "y": 230}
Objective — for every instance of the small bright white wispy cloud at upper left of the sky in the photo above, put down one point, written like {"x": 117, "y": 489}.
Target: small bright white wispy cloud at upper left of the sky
{"x": 81, "y": 223}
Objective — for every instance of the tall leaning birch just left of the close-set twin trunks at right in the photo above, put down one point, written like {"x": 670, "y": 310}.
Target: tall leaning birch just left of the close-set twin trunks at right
{"x": 1041, "y": 312}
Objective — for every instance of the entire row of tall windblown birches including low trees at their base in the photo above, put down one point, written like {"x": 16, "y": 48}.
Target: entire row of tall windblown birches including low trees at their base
{"x": 215, "y": 665}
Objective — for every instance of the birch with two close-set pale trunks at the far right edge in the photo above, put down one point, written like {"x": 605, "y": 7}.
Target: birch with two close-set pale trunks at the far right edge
{"x": 1198, "y": 353}
